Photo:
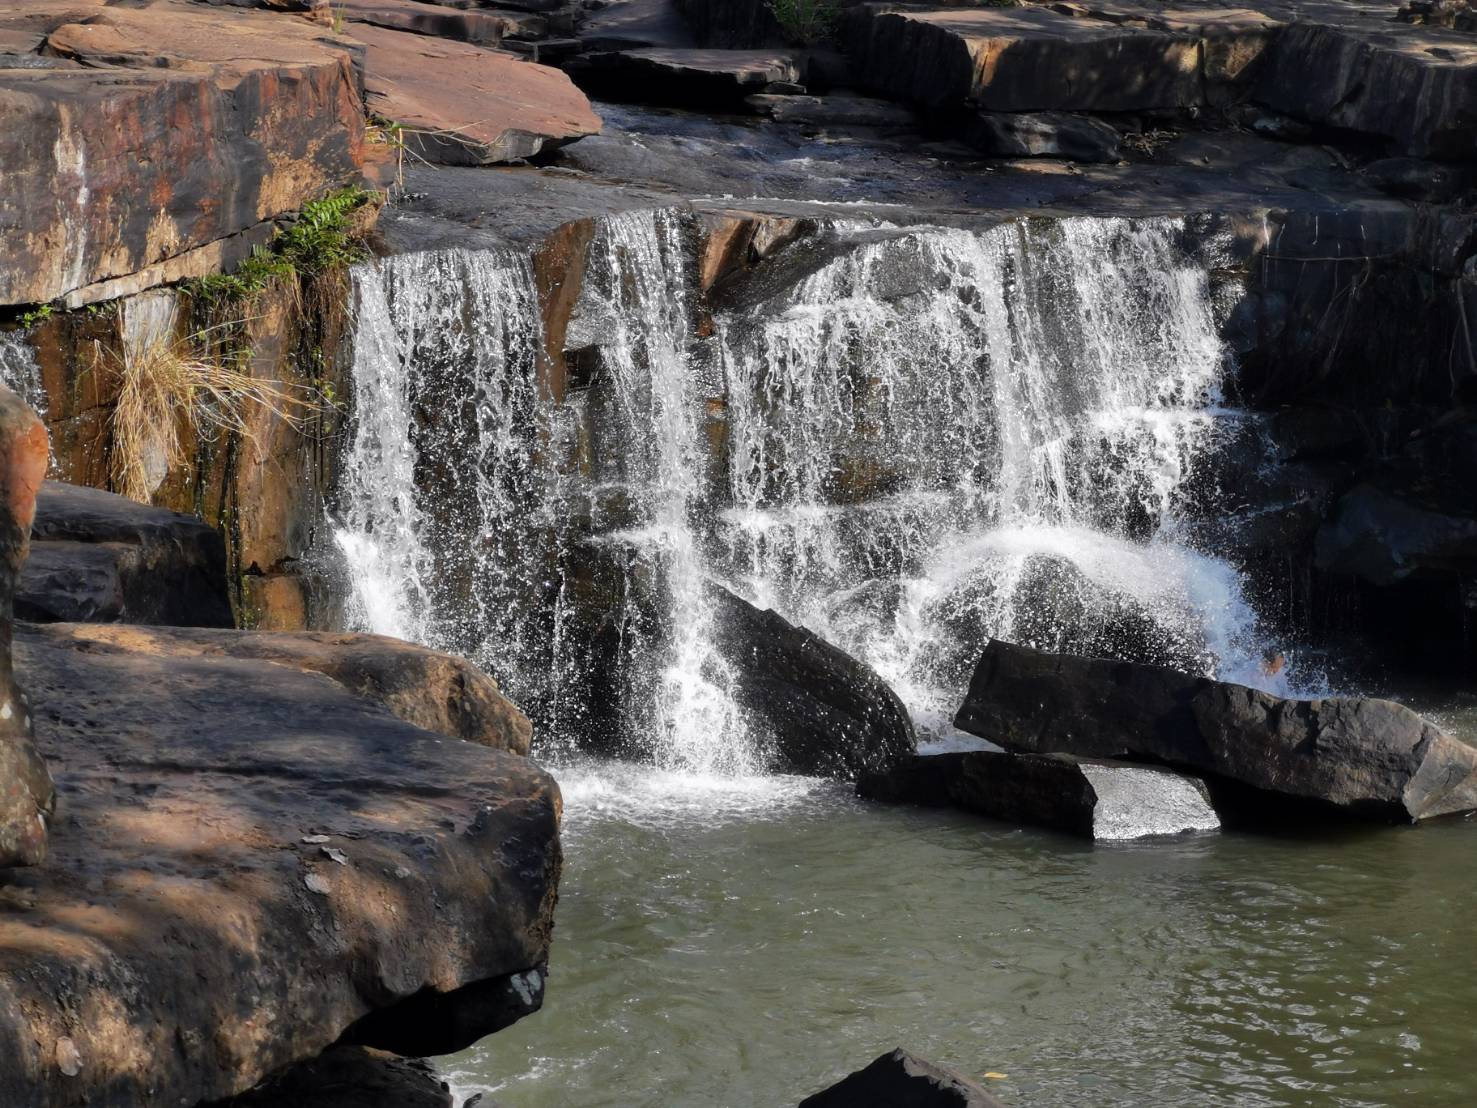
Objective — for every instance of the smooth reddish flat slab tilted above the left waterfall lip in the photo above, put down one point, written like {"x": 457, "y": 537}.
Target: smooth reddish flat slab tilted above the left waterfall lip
{"x": 497, "y": 110}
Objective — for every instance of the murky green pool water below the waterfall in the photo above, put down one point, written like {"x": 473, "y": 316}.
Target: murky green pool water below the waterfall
{"x": 745, "y": 943}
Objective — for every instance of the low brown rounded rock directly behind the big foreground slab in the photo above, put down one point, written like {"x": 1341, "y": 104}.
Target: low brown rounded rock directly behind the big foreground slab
{"x": 425, "y": 688}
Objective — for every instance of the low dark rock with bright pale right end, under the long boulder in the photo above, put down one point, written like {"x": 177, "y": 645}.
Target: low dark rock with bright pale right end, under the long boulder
{"x": 1098, "y": 800}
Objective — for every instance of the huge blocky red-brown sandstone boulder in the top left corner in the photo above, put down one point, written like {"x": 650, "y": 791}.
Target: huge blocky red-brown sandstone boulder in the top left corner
{"x": 104, "y": 181}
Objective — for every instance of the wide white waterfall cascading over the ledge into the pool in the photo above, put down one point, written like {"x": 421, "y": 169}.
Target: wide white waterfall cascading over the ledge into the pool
{"x": 931, "y": 438}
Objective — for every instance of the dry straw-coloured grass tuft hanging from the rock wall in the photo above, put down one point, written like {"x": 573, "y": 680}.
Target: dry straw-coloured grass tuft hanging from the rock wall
{"x": 168, "y": 389}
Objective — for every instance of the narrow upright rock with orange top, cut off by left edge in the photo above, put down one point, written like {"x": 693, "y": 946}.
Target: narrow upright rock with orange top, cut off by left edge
{"x": 27, "y": 797}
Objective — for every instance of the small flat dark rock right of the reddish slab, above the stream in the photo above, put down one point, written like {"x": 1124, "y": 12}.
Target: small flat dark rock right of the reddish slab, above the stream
{"x": 689, "y": 76}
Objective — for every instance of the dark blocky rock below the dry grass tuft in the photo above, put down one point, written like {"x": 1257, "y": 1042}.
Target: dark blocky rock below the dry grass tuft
{"x": 107, "y": 559}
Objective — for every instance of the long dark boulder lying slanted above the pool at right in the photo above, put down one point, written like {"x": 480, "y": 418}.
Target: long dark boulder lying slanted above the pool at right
{"x": 1364, "y": 757}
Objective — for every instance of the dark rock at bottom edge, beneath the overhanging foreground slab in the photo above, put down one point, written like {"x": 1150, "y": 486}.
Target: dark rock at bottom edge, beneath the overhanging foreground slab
{"x": 351, "y": 1078}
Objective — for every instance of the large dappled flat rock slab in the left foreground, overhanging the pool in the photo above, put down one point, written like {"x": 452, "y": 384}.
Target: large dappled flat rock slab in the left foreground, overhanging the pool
{"x": 247, "y": 864}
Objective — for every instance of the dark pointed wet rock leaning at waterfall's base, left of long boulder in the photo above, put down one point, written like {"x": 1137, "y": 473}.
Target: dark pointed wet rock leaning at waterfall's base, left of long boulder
{"x": 826, "y": 713}
